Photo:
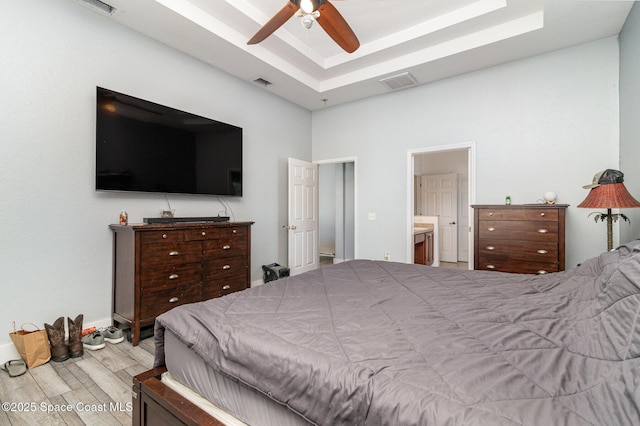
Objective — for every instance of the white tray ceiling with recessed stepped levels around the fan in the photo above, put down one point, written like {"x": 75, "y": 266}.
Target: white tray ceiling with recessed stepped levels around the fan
{"x": 430, "y": 39}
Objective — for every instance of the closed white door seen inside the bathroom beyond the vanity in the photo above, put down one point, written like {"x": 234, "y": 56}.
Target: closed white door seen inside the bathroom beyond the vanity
{"x": 440, "y": 198}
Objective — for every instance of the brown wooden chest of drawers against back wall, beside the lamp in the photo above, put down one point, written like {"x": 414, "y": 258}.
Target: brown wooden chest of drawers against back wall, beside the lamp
{"x": 526, "y": 239}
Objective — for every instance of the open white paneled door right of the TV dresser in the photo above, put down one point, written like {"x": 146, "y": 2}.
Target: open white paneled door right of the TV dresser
{"x": 303, "y": 216}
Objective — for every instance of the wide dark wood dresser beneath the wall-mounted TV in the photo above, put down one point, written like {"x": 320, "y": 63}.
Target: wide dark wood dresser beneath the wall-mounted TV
{"x": 157, "y": 267}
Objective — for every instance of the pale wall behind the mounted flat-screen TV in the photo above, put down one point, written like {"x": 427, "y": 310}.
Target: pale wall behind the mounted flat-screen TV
{"x": 56, "y": 249}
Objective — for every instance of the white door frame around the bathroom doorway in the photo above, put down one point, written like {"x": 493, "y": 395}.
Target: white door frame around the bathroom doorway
{"x": 471, "y": 161}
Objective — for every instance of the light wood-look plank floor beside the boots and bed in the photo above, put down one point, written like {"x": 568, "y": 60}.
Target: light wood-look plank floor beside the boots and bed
{"x": 94, "y": 389}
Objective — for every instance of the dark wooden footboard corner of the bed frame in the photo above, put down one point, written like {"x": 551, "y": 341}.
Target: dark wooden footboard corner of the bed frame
{"x": 154, "y": 403}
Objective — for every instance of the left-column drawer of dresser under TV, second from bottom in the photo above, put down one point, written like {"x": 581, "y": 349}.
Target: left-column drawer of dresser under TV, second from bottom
{"x": 167, "y": 277}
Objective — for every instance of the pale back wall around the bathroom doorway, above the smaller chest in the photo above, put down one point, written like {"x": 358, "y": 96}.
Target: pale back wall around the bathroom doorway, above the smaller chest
{"x": 544, "y": 123}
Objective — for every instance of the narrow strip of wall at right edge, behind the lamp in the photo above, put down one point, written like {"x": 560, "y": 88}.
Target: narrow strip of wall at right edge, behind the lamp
{"x": 630, "y": 118}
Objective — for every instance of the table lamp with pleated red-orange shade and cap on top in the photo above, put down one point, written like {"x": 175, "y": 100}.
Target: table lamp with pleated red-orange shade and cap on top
{"x": 607, "y": 191}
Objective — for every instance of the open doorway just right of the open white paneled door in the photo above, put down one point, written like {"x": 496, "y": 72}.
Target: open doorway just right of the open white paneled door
{"x": 337, "y": 206}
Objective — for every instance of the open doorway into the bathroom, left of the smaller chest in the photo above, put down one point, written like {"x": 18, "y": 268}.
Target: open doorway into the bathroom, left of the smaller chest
{"x": 442, "y": 189}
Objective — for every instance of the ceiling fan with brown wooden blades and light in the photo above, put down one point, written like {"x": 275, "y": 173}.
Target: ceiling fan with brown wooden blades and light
{"x": 319, "y": 10}
